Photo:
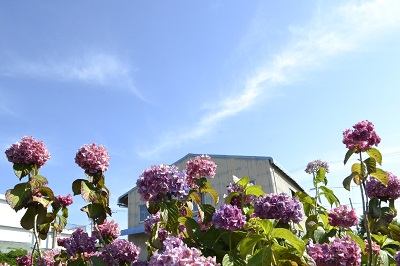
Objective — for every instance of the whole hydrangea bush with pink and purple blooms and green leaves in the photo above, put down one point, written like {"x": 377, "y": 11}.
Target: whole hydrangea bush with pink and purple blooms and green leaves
{"x": 247, "y": 228}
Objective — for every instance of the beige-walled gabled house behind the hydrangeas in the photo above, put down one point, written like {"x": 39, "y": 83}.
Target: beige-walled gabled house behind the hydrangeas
{"x": 263, "y": 171}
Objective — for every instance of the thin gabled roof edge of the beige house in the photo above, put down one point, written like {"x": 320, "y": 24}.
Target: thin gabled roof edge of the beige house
{"x": 123, "y": 199}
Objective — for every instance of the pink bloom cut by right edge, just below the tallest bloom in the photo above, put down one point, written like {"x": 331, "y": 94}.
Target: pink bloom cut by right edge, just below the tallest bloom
{"x": 375, "y": 188}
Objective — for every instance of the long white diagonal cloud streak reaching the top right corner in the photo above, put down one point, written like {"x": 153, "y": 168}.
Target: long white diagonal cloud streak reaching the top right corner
{"x": 330, "y": 33}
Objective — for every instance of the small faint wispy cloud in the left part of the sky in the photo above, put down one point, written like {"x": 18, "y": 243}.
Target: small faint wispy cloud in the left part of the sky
{"x": 99, "y": 69}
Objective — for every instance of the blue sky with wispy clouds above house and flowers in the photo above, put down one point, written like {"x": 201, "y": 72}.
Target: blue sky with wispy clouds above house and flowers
{"x": 155, "y": 80}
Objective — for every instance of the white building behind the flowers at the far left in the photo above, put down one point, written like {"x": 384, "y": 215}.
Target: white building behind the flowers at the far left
{"x": 13, "y": 235}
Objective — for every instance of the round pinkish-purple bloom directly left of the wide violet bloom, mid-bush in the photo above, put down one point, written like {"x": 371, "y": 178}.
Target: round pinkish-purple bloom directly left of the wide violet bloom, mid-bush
{"x": 229, "y": 217}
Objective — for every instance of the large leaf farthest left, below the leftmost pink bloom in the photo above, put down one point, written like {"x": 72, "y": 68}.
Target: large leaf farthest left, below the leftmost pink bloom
{"x": 19, "y": 196}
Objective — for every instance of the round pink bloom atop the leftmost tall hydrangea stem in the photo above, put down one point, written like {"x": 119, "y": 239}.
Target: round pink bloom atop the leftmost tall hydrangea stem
{"x": 28, "y": 151}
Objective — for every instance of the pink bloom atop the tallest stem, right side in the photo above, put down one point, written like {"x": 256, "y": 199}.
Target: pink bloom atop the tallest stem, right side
{"x": 362, "y": 137}
